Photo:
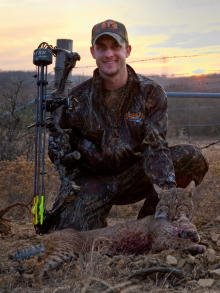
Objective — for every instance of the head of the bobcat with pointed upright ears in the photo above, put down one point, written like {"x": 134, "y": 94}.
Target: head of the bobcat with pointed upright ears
{"x": 175, "y": 204}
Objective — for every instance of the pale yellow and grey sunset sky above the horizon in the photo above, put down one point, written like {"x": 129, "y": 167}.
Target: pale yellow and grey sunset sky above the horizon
{"x": 168, "y": 37}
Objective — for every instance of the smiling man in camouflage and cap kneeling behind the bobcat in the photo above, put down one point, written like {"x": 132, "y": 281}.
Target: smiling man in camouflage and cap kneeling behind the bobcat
{"x": 118, "y": 126}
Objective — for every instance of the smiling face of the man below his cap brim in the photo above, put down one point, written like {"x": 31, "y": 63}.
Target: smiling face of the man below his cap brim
{"x": 110, "y": 56}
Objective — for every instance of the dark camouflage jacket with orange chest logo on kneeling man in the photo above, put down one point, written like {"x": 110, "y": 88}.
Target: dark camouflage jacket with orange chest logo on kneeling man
{"x": 110, "y": 142}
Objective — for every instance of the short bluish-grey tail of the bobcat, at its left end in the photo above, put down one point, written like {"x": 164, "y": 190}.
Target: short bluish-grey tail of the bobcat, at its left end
{"x": 28, "y": 252}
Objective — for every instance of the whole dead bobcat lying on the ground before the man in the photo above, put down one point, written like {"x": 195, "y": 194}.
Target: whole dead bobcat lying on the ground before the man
{"x": 134, "y": 236}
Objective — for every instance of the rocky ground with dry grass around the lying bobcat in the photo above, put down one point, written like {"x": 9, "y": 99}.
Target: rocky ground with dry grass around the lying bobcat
{"x": 98, "y": 273}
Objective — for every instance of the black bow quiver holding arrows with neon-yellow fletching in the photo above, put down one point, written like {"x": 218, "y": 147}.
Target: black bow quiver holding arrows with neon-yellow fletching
{"x": 42, "y": 57}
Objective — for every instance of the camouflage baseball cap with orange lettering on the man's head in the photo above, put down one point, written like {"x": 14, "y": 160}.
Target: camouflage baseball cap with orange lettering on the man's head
{"x": 112, "y": 28}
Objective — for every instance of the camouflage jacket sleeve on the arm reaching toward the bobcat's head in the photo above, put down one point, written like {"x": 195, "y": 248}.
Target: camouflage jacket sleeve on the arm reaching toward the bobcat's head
{"x": 158, "y": 164}
